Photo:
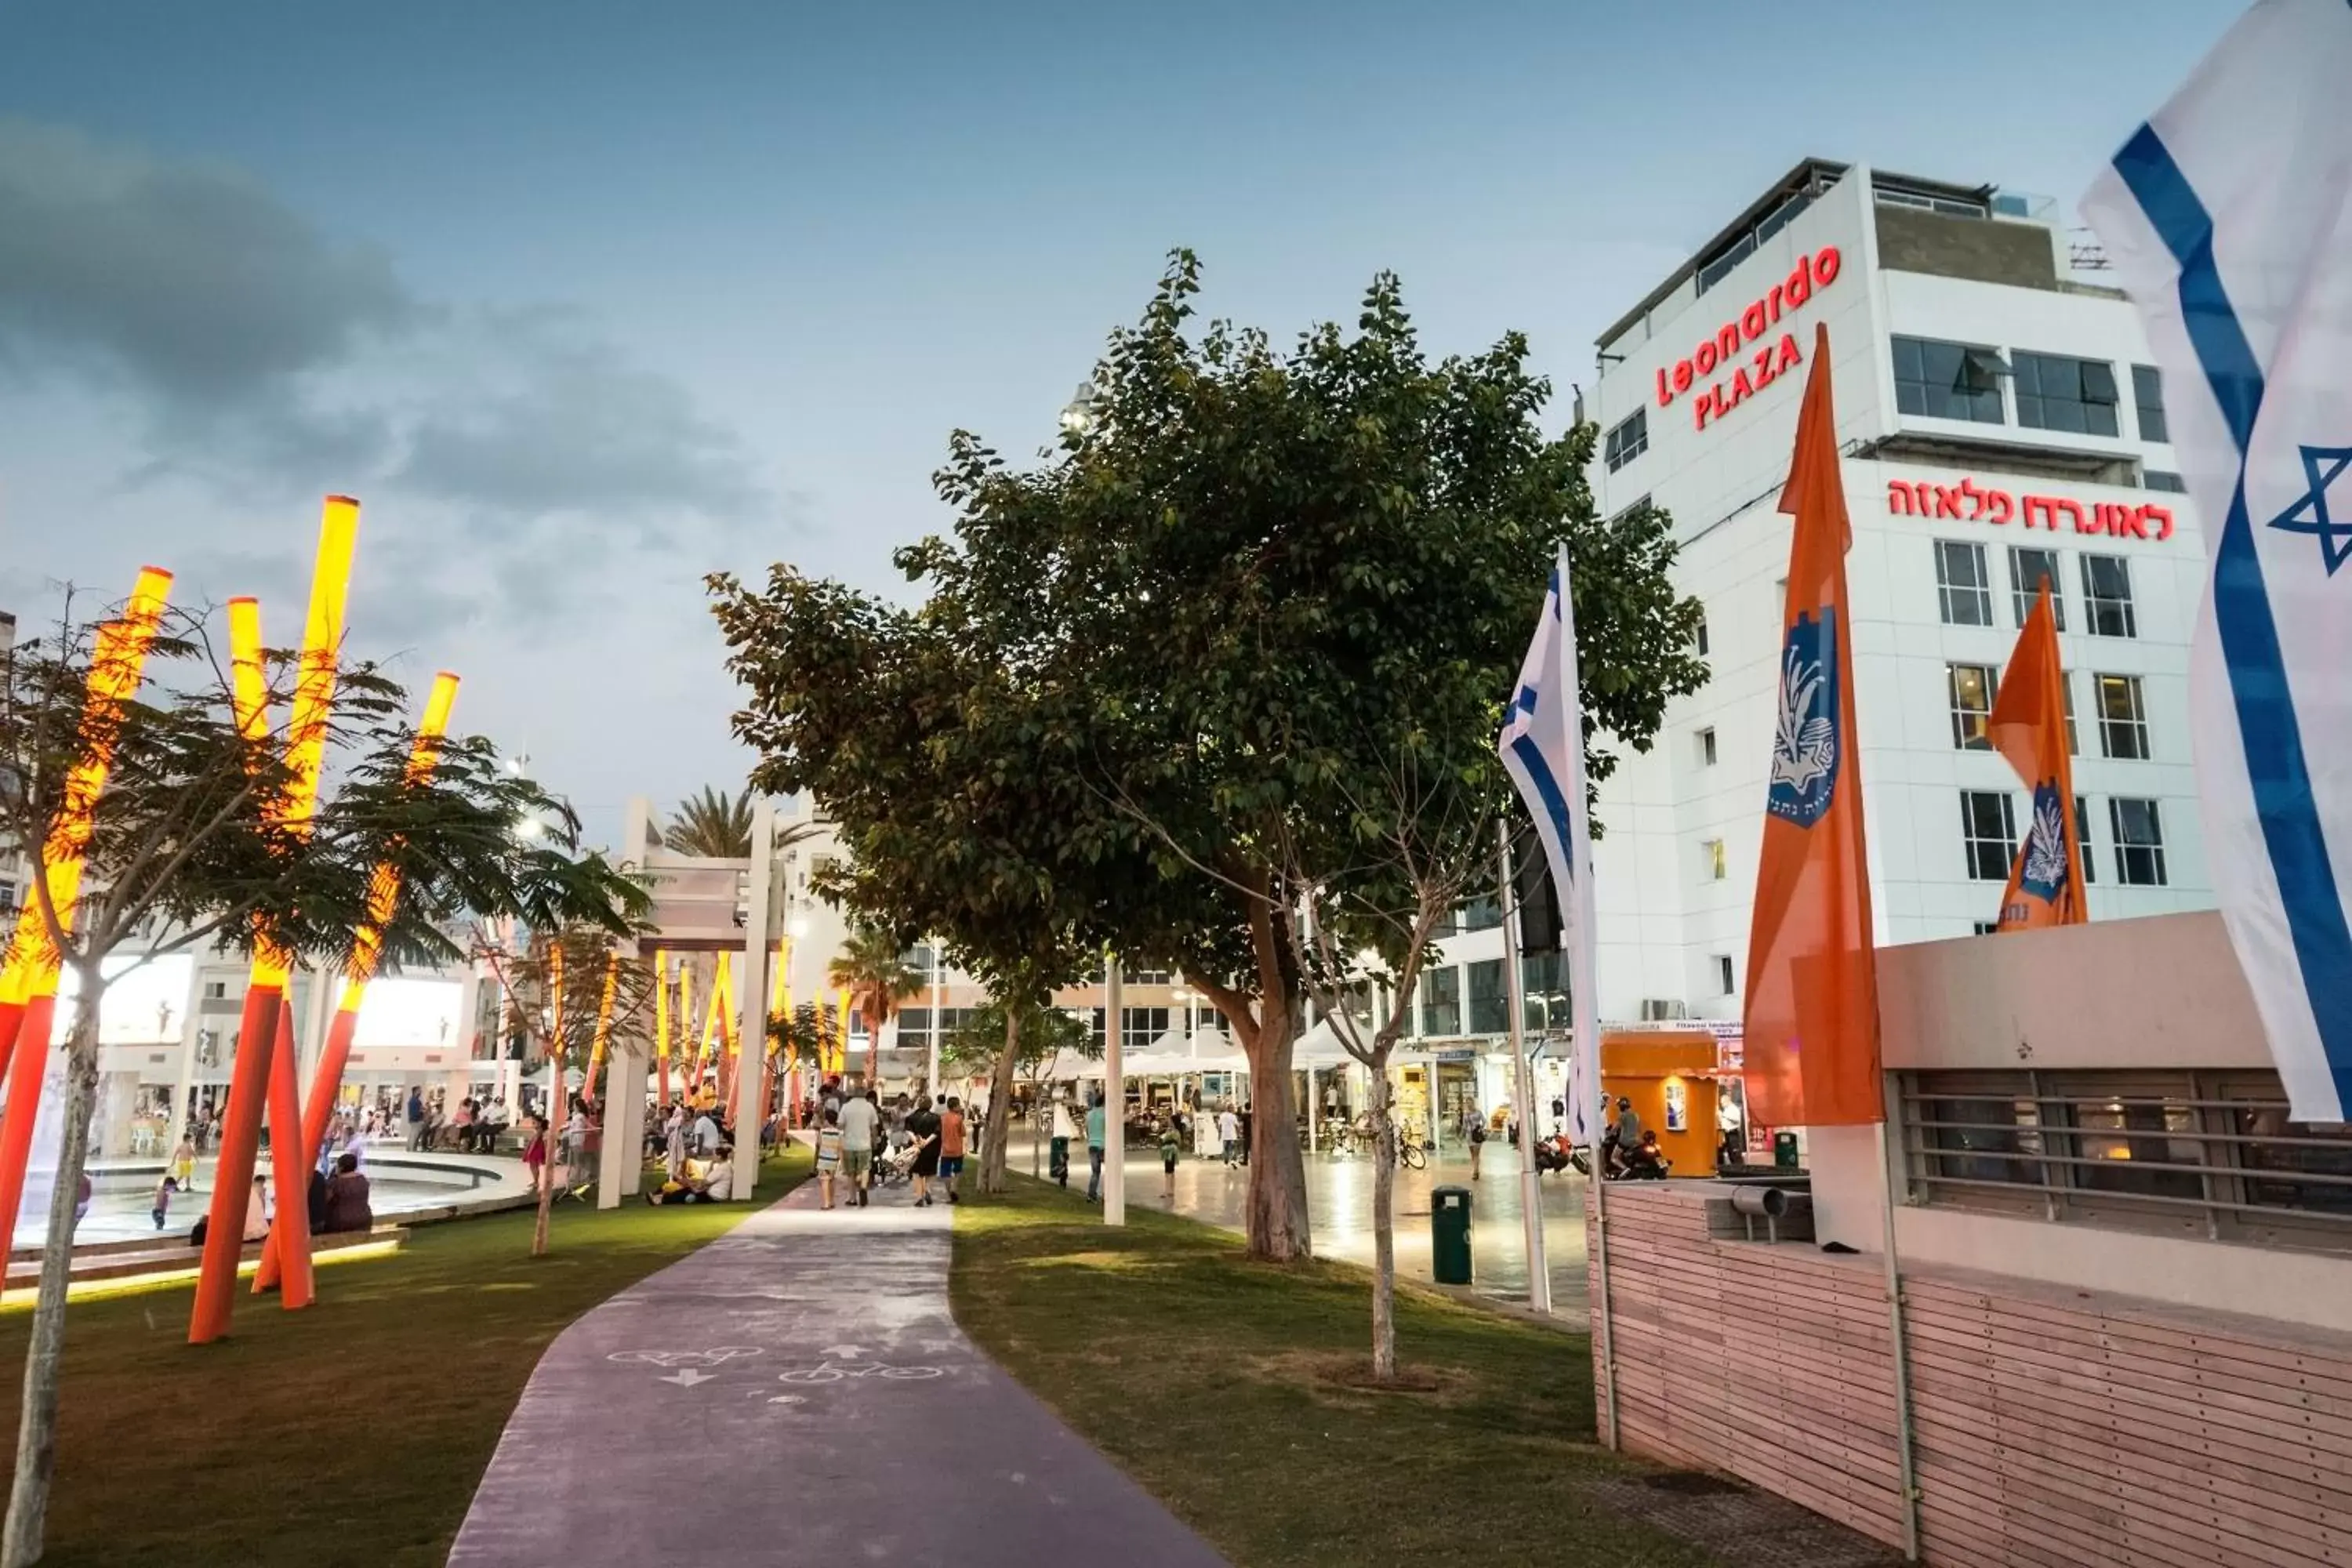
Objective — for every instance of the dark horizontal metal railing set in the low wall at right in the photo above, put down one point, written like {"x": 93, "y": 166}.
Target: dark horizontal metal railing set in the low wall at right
{"x": 2181, "y": 1153}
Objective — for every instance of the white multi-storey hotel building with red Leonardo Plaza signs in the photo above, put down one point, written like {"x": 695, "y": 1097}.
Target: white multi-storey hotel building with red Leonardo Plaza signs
{"x": 2000, "y": 420}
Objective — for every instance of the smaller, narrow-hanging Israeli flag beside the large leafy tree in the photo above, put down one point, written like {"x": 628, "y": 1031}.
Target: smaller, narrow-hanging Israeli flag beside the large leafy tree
{"x": 1544, "y": 751}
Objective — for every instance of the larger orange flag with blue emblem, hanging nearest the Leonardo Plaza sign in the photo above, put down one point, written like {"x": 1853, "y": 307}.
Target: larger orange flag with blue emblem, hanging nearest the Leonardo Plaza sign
{"x": 1812, "y": 1028}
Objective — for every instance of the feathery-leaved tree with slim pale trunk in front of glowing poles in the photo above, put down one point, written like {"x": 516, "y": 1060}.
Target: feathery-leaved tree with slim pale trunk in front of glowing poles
{"x": 189, "y": 850}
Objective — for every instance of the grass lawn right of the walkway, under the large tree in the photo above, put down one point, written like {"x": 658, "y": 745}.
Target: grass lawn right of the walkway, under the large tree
{"x": 1222, "y": 1386}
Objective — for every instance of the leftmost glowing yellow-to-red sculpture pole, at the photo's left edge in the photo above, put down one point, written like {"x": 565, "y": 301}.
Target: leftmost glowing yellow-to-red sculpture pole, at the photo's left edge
{"x": 29, "y": 981}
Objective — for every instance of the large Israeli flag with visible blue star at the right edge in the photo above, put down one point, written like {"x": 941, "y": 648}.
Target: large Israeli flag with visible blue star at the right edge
{"x": 2229, "y": 222}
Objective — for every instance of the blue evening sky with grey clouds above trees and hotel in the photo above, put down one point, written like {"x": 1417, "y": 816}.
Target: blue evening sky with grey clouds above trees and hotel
{"x": 592, "y": 300}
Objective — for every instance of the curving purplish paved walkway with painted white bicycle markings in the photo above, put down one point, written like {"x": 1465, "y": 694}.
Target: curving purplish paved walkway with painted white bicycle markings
{"x": 799, "y": 1393}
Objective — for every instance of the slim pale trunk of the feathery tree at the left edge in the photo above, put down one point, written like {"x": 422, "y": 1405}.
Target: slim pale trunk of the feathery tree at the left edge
{"x": 36, "y": 1423}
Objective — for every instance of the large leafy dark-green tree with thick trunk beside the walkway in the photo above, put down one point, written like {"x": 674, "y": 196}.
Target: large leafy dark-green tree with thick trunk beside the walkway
{"x": 1189, "y": 643}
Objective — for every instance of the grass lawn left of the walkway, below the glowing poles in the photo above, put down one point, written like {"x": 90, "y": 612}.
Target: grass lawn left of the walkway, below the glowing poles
{"x": 352, "y": 1433}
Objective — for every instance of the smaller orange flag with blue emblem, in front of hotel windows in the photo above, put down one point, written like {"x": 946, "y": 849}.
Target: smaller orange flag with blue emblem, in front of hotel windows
{"x": 2029, "y": 728}
